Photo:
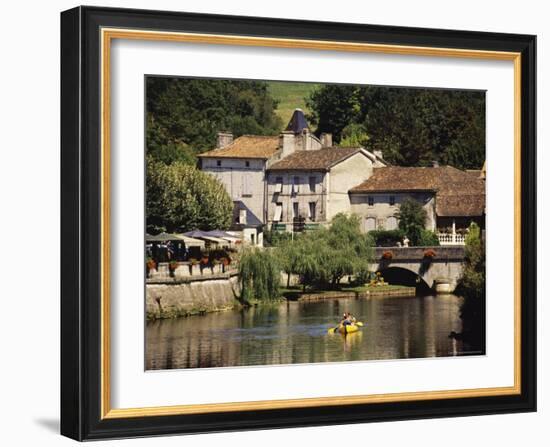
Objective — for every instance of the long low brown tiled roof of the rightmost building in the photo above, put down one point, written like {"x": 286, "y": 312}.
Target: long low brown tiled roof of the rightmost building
{"x": 458, "y": 193}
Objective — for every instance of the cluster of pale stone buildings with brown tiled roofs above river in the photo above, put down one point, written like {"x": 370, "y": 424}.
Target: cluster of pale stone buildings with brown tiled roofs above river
{"x": 277, "y": 181}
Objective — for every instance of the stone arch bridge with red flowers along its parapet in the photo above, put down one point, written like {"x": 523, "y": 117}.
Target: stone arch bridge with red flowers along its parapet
{"x": 413, "y": 264}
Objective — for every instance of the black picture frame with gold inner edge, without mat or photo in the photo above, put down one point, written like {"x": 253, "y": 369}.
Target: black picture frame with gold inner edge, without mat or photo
{"x": 86, "y": 37}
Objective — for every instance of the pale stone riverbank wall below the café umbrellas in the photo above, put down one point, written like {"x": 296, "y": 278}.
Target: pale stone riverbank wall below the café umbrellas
{"x": 170, "y": 298}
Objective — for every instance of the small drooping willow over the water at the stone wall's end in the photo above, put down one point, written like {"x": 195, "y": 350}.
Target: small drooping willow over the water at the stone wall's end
{"x": 260, "y": 275}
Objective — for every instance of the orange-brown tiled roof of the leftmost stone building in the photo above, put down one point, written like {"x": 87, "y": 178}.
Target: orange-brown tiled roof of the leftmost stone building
{"x": 246, "y": 146}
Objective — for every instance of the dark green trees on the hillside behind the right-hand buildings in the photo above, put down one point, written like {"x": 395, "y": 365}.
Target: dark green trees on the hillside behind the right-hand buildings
{"x": 411, "y": 126}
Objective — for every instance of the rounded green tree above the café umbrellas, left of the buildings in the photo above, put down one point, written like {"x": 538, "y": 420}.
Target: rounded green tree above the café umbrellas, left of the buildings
{"x": 182, "y": 198}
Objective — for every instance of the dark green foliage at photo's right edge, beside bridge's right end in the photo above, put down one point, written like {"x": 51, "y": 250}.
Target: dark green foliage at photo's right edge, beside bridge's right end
{"x": 472, "y": 283}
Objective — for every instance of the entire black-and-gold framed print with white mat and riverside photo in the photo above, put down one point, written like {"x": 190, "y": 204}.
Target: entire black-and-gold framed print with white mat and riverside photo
{"x": 277, "y": 223}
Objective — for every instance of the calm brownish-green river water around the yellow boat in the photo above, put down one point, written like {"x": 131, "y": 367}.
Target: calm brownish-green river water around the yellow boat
{"x": 296, "y": 332}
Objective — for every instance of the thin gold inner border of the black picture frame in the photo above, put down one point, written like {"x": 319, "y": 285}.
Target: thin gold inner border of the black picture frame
{"x": 107, "y": 35}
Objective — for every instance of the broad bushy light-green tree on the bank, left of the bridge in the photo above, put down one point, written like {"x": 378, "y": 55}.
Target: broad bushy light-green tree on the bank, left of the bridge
{"x": 323, "y": 256}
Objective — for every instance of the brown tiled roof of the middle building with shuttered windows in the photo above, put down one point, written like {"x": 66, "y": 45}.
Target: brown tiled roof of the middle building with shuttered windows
{"x": 318, "y": 160}
